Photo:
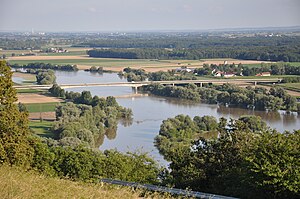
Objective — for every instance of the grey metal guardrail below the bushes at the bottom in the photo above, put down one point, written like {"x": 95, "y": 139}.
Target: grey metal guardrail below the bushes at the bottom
{"x": 174, "y": 191}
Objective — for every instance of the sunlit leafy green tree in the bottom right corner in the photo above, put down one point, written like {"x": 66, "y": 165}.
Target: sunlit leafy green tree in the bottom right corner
{"x": 273, "y": 164}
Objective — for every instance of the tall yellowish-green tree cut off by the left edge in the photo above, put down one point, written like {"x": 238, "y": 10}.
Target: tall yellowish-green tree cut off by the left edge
{"x": 14, "y": 131}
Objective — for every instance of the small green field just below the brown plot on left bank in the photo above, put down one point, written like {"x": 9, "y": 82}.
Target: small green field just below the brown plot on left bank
{"x": 42, "y": 128}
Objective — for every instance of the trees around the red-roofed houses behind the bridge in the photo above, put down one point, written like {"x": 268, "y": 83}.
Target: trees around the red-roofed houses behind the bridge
{"x": 208, "y": 70}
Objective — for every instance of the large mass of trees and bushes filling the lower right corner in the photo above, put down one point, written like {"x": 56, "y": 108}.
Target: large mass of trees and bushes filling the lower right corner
{"x": 244, "y": 158}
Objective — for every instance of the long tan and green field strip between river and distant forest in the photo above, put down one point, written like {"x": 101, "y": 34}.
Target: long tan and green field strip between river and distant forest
{"x": 85, "y": 62}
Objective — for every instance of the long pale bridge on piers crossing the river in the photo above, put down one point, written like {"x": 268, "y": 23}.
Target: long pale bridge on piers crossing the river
{"x": 173, "y": 83}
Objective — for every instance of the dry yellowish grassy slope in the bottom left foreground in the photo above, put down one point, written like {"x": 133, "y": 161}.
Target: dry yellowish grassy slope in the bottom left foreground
{"x": 15, "y": 183}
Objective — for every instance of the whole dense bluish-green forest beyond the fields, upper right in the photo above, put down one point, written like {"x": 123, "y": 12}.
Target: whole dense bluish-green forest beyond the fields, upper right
{"x": 249, "y": 48}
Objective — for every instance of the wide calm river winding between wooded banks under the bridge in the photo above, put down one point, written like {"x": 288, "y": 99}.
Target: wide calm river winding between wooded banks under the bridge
{"x": 150, "y": 111}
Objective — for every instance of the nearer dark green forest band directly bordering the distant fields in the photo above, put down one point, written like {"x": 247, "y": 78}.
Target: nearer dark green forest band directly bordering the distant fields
{"x": 260, "y": 54}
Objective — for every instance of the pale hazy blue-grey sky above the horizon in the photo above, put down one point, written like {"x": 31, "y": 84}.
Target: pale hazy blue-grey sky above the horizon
{"x": 130, "y": 15}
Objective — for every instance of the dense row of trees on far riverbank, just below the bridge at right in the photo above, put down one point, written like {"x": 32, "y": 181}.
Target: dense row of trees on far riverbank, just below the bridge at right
{"x": 229, "y": 95}
